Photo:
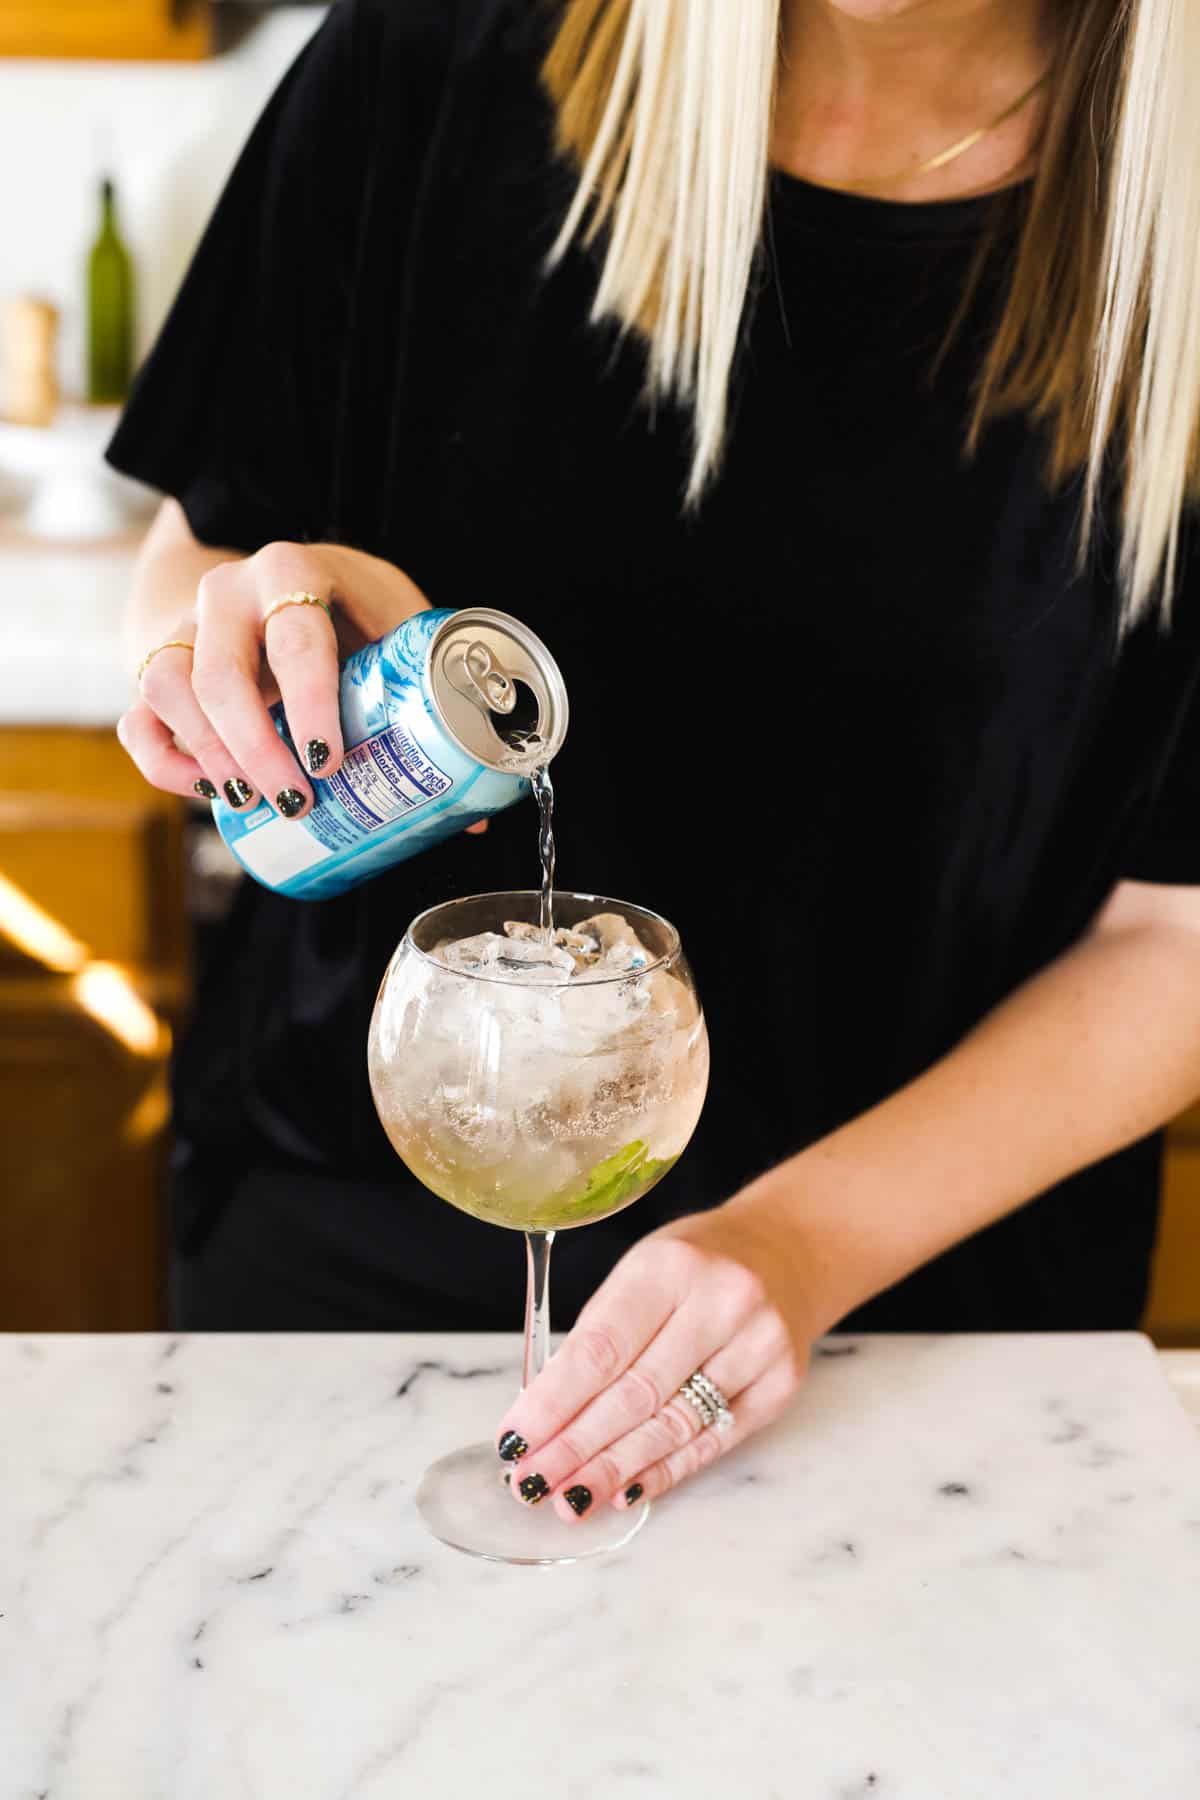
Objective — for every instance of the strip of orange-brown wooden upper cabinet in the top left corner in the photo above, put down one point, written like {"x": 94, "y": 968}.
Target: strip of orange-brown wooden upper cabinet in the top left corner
{"x": 121, "y": 30}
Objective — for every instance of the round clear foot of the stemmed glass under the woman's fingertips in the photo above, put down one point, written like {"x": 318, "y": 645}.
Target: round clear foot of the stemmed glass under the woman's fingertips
{"x": 465, "y": 1502}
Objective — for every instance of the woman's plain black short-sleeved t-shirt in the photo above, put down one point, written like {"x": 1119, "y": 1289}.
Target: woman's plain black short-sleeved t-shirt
{"x": 857, "y": 726}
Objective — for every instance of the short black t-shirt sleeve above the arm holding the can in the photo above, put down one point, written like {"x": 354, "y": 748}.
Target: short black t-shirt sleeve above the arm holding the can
{"x": 235, "y": 408}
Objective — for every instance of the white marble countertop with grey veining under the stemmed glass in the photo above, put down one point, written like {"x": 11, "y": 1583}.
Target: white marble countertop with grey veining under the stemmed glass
{"x": 963, "y": 1569}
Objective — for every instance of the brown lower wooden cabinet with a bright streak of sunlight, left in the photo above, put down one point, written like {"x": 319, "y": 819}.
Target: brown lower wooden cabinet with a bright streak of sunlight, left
{"x": 93, "y": 982}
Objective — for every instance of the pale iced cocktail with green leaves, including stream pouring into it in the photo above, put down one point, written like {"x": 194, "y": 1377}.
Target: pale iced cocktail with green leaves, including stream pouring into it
{"x": 560, "y": 1075}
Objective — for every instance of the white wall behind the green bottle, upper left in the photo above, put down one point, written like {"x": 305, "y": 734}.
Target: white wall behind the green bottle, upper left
{"x": 168, "y": 132}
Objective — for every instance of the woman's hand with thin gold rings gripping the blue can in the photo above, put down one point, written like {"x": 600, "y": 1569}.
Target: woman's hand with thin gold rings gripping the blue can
{"x": 202, "y": 723}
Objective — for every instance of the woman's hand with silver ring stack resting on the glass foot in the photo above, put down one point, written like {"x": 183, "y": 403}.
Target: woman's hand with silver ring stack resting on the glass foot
{"x": 605, "y": 1423}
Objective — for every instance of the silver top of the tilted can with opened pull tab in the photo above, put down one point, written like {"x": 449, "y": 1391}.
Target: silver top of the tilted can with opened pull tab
{"x": 499, "y": 690}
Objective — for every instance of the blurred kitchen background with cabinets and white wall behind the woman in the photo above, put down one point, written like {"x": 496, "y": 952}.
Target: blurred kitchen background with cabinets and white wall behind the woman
{"x": 109, "y": 890}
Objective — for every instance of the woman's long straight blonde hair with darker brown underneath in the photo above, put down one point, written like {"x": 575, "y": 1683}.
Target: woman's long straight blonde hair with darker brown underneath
{"x": 667, "y": 111}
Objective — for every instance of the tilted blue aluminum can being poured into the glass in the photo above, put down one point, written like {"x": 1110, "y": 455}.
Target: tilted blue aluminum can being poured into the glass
{"x": 443, "y": 723}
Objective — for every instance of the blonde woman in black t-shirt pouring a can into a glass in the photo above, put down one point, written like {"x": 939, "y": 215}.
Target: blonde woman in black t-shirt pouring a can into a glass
{"x": 821, "y": 381}
